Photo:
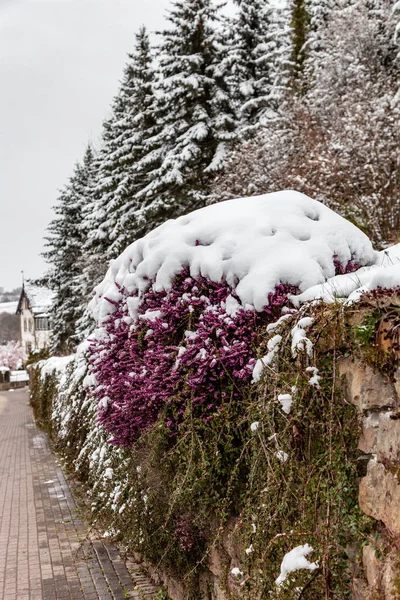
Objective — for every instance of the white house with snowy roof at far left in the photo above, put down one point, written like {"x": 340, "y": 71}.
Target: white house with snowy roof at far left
{"x": 34, "y": 310}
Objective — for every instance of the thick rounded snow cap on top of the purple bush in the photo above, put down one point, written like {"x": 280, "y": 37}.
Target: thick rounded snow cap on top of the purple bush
{"x": 252, "y": 243}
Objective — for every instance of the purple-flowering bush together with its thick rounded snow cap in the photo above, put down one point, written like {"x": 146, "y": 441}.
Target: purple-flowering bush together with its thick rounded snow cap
{"x": 178, "y": 311}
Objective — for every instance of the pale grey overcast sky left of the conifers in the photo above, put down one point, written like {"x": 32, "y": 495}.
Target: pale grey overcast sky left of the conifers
{"x": 60, "y": 63}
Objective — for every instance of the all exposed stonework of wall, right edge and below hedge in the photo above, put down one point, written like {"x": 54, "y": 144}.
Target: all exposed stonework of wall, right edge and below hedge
{"x": 377, "y": 574}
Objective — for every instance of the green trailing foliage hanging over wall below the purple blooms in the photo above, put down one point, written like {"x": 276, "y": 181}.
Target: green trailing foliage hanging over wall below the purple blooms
{"x": 183, "y": 494}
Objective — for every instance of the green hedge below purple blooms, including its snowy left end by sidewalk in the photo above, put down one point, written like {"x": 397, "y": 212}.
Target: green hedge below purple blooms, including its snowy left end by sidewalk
{"x": 263, "y": 465}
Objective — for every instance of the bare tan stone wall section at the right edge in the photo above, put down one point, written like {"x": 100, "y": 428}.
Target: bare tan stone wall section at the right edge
{"x": 378, "y": 400}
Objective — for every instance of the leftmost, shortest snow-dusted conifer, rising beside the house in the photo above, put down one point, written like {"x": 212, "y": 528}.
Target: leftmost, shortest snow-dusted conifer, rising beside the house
{"x": 63, "y": 253}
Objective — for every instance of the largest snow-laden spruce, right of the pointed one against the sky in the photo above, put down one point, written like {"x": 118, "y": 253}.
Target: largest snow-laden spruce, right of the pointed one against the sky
{"x": 195, "y": 116}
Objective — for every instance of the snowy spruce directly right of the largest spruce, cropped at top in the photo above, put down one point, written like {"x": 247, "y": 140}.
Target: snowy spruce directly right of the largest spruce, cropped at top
{"x": 258, "y": 58}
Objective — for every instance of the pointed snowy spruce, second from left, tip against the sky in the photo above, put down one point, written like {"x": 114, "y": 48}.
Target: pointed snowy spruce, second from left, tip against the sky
{"x": 111, "y": 224}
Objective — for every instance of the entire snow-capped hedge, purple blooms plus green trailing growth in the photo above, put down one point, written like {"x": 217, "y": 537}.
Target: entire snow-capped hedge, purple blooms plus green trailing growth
{"x": 206, "y": 396}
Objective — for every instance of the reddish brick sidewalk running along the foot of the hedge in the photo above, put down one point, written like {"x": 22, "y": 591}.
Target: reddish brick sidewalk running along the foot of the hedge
{"x": 44, "y": 551}
